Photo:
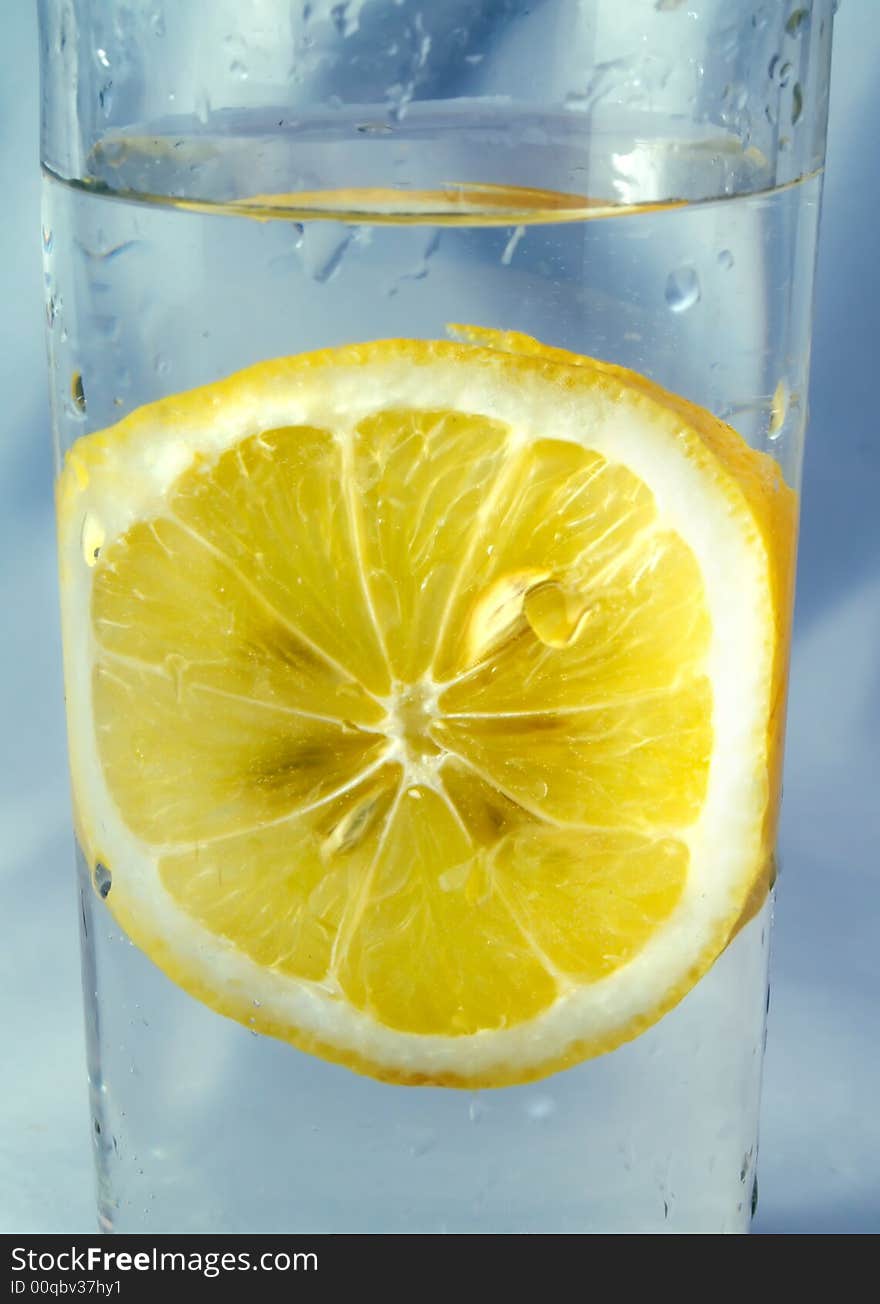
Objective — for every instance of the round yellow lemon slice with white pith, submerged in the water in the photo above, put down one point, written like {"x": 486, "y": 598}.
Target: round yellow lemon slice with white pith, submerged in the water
{"x": 424, "y": 698}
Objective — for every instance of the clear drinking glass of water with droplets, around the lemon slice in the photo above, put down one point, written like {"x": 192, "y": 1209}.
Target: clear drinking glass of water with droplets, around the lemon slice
{"x": 242, "y": 181}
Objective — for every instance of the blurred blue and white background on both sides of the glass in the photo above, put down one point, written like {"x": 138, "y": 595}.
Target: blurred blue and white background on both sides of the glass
{"x": 821, "y": 1134}
